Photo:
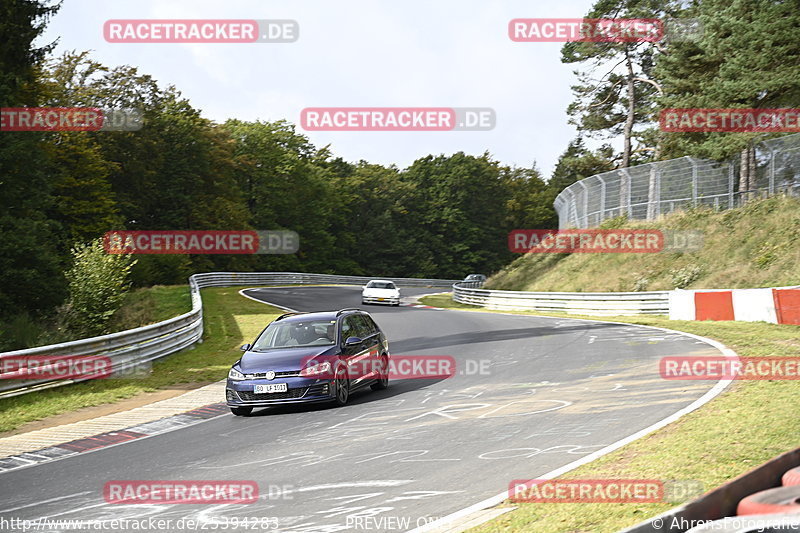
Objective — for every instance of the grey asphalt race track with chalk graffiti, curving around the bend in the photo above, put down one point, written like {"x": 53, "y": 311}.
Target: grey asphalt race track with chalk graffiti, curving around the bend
{"x": 556, "y": 390}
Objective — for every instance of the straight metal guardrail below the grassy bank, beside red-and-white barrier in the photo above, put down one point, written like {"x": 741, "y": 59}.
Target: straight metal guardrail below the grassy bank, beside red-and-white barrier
{"x": 577, "y": 303}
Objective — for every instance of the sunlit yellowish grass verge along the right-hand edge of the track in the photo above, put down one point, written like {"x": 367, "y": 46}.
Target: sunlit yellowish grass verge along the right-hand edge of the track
{"x": 748, "y": 424}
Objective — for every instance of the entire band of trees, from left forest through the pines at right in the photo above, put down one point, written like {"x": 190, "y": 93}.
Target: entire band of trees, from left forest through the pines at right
{"x": 443, "y": 216}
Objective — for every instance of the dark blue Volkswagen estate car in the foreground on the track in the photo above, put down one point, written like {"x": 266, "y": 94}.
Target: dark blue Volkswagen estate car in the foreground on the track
{"x": 309, "y": 357}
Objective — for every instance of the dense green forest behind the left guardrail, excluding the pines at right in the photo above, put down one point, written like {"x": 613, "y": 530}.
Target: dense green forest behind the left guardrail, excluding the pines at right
{"x": 444, "y": 216}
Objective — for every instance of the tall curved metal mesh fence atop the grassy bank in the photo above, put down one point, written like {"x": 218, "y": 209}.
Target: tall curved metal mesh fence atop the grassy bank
{"x": 647, "y": 191}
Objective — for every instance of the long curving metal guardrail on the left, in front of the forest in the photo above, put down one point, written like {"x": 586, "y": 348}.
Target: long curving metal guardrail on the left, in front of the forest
{"x": 132, "y": 348}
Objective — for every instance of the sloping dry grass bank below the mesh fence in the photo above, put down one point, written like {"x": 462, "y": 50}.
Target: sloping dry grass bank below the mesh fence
{"x": 757, "y": 245}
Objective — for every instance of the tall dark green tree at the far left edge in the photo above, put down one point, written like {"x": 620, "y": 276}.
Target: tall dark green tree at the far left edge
{"x": 30, "y": 268}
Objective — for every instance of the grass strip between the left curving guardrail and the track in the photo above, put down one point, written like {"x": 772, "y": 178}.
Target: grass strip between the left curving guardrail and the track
{"x": 229, "y": 321}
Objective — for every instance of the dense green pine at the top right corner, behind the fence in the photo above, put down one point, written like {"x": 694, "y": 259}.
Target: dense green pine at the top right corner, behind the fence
{"x": 748, "y": 56}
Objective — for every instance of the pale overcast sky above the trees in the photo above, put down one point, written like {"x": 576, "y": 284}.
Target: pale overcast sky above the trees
{"x": 359, "y": 53}
